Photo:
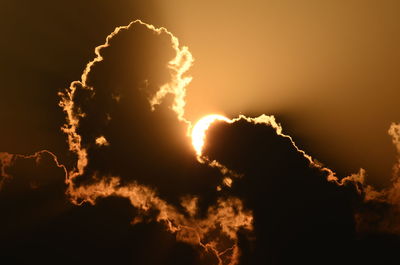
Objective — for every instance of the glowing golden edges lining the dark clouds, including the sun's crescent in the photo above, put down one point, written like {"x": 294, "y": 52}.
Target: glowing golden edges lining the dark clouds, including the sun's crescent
{"x": 144, "y": 198}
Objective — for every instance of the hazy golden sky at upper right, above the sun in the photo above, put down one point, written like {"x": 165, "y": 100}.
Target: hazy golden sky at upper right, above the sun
{"x": 327, "y": 69}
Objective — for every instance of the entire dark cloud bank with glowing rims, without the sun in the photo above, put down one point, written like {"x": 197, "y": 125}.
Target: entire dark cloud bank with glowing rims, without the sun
{"x": 133, "y": 191}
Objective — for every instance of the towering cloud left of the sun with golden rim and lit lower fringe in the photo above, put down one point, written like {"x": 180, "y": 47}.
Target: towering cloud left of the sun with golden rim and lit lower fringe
{"x": 133, "y": 95}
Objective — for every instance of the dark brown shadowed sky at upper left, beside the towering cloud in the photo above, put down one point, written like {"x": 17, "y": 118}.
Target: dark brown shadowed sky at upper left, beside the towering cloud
{"x": 46, "y": 44}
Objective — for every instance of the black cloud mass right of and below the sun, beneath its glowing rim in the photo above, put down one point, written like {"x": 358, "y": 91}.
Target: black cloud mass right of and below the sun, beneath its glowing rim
{"x": 299, "y": 216}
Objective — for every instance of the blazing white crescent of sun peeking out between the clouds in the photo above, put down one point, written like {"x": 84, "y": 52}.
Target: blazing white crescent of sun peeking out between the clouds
{"x": 199, "y": 130}
